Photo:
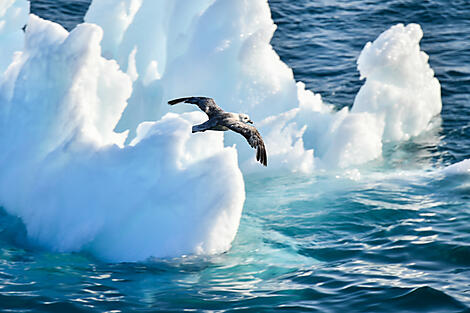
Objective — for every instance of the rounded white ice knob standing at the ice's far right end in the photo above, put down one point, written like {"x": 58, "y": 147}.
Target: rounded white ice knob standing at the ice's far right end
{"x": 400, "y": 85}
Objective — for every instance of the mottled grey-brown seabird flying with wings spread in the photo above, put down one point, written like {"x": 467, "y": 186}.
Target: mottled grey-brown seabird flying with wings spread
{"x": 220, "y": 120}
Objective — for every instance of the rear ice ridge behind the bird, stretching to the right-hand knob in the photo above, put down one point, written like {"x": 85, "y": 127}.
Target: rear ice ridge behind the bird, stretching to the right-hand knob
{"x": 222, "y": 49}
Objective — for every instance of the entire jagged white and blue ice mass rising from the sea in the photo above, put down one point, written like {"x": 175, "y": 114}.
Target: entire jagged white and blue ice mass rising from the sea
{"x": 92, "y": 159}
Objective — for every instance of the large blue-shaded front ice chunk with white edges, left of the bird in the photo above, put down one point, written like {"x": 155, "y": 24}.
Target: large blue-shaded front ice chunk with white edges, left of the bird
{"x": 75, "y": 185}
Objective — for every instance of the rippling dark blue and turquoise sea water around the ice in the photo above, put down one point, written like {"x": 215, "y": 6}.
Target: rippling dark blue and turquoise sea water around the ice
{"x": 395, "y": 240}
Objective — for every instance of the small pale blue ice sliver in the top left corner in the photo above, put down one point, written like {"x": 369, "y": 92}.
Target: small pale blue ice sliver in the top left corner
{"x": 13, "y": 16}
